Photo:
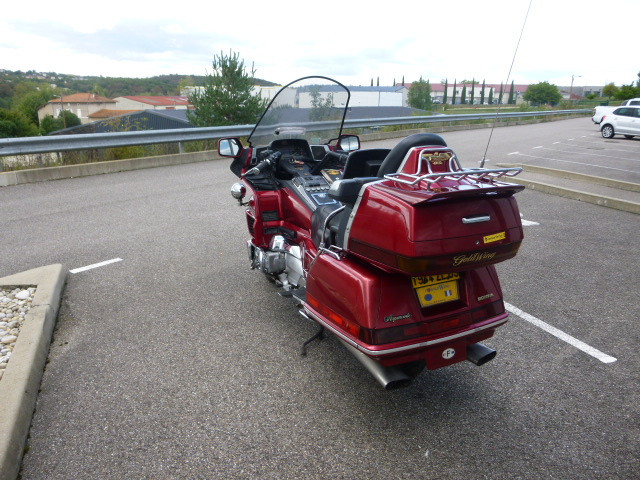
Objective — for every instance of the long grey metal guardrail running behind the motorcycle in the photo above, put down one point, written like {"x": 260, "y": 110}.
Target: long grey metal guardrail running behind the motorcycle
{"x": 60, "y": 143}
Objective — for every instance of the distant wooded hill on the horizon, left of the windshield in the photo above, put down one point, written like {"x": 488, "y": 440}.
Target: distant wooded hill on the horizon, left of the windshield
{"x": 107, "y": 86}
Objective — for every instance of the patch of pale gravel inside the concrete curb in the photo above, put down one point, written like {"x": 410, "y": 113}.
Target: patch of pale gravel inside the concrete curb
{"x": 14, "y": 305}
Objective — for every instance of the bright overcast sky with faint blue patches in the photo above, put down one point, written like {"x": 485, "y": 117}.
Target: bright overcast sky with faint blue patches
{"x": 352, "y": 41}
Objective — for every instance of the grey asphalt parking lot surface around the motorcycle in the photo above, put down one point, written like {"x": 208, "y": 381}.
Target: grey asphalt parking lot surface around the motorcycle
{"x": 177, "y": 361}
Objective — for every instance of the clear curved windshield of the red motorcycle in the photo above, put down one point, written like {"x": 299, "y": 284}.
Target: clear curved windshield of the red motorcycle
{"x": 310, "y": 108}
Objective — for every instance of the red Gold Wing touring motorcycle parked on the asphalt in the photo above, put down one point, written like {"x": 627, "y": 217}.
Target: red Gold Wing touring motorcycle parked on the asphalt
{"x": 391, "y": 250}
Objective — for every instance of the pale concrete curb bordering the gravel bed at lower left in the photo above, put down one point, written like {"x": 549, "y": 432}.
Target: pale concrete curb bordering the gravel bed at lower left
{"x": 21, "y": 380}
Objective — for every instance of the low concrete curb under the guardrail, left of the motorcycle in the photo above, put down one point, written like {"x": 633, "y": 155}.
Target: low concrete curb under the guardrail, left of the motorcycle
{"x": 33, "y": 175}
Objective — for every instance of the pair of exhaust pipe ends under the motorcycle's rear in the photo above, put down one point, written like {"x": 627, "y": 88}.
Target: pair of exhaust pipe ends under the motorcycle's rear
{"x": 392, "y": 378}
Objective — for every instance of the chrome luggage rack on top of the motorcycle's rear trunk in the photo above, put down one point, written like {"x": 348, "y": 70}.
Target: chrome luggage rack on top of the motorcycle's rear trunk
{"x": 456, "y": 172}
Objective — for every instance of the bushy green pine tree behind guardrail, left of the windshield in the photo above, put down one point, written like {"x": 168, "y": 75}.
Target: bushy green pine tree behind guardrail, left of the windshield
{"x": 227, "y": 98}
